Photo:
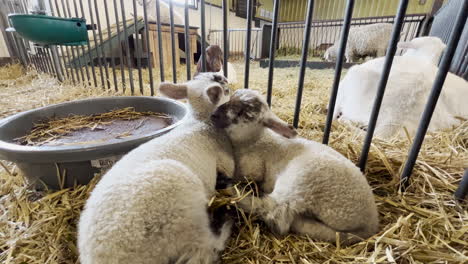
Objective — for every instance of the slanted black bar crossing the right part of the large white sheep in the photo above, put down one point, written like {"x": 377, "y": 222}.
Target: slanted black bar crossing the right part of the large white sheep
{"x": 435, "y": 93}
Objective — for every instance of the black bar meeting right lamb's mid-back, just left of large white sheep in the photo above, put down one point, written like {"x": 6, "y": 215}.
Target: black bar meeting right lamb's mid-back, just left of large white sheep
{"x": 338, "y": 68}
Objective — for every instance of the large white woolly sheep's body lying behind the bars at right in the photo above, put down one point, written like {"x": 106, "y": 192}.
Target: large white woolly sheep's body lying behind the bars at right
{"x": 407, "y": 91}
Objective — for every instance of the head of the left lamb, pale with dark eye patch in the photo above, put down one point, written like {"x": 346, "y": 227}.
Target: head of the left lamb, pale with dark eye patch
{"x": 204, "y": 93}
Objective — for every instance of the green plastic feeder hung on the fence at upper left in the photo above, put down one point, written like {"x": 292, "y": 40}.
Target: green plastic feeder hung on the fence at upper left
{"x": 49, "y": 30}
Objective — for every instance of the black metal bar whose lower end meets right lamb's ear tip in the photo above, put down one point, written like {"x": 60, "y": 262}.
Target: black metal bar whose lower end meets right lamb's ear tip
{"x": 305, "y": 49}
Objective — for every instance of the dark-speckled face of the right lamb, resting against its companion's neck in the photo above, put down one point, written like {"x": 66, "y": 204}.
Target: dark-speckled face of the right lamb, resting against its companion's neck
{"x": 246, "y": 115}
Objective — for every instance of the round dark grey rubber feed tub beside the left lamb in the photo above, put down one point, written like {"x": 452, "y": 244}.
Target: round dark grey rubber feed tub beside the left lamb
{"x": 64, "y": 166}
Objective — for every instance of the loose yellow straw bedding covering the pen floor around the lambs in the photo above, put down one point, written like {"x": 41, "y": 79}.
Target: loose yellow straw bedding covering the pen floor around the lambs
{"x": 422, "y": 225}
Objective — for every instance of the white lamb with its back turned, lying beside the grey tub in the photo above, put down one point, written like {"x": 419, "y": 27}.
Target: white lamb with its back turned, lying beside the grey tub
{"x": 151, "y": 206}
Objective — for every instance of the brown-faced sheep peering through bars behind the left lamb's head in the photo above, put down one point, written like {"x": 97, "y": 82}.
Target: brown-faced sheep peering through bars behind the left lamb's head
{"x": 215, "y": 62}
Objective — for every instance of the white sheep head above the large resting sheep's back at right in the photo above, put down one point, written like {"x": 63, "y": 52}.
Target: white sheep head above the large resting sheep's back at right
{"x": 429, "y": 48}
